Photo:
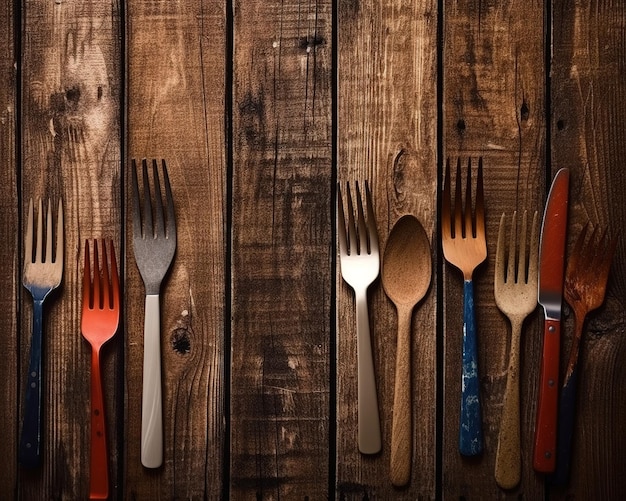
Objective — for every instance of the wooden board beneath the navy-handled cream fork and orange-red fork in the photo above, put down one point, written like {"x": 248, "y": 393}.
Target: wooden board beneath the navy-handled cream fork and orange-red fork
{"x": 70, "y": 150}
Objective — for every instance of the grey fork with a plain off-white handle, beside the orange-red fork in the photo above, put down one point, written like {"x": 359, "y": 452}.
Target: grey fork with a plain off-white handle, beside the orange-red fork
{"x": 155, "y": 245}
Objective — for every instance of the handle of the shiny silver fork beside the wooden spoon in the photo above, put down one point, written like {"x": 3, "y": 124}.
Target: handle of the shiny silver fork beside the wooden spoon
{"x": 368, "y": 419}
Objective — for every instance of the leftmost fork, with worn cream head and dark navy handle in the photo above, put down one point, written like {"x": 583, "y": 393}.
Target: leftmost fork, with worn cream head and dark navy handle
{"x": 42, "y": 274}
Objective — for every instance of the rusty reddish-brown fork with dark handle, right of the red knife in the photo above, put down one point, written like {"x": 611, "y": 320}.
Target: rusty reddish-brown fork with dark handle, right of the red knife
{"x": 586, "y": 278}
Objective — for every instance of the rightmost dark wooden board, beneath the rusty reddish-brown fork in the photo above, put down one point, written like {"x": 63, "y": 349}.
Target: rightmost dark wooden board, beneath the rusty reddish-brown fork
{"x": 588, "y": 92}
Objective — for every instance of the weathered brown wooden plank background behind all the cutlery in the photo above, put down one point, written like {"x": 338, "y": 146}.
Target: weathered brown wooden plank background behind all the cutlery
{"x": 260, "y": 109}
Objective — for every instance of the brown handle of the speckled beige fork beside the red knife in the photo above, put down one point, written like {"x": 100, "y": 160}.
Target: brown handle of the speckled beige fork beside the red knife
{"x": 508, "y": 468}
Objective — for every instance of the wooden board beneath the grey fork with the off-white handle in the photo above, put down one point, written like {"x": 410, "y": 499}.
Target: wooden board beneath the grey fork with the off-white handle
{"x": 175, "y": 98}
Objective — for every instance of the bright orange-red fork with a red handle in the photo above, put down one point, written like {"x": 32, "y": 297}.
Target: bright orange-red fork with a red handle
{"x": 99, "y": 323}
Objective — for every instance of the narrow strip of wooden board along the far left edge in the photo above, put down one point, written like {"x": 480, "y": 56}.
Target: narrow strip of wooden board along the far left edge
{"x": 9, "y": 272}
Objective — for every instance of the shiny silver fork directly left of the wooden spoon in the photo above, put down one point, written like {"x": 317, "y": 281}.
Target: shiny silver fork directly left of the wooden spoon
{"x": 360, "y": 264}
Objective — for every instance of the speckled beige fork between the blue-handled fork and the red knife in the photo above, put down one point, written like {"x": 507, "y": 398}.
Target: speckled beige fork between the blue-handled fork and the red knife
{"x": 515, "y": 291}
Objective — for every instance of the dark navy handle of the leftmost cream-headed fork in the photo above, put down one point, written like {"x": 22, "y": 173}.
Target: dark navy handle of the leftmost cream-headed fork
{"x": 30, "y": 441}
